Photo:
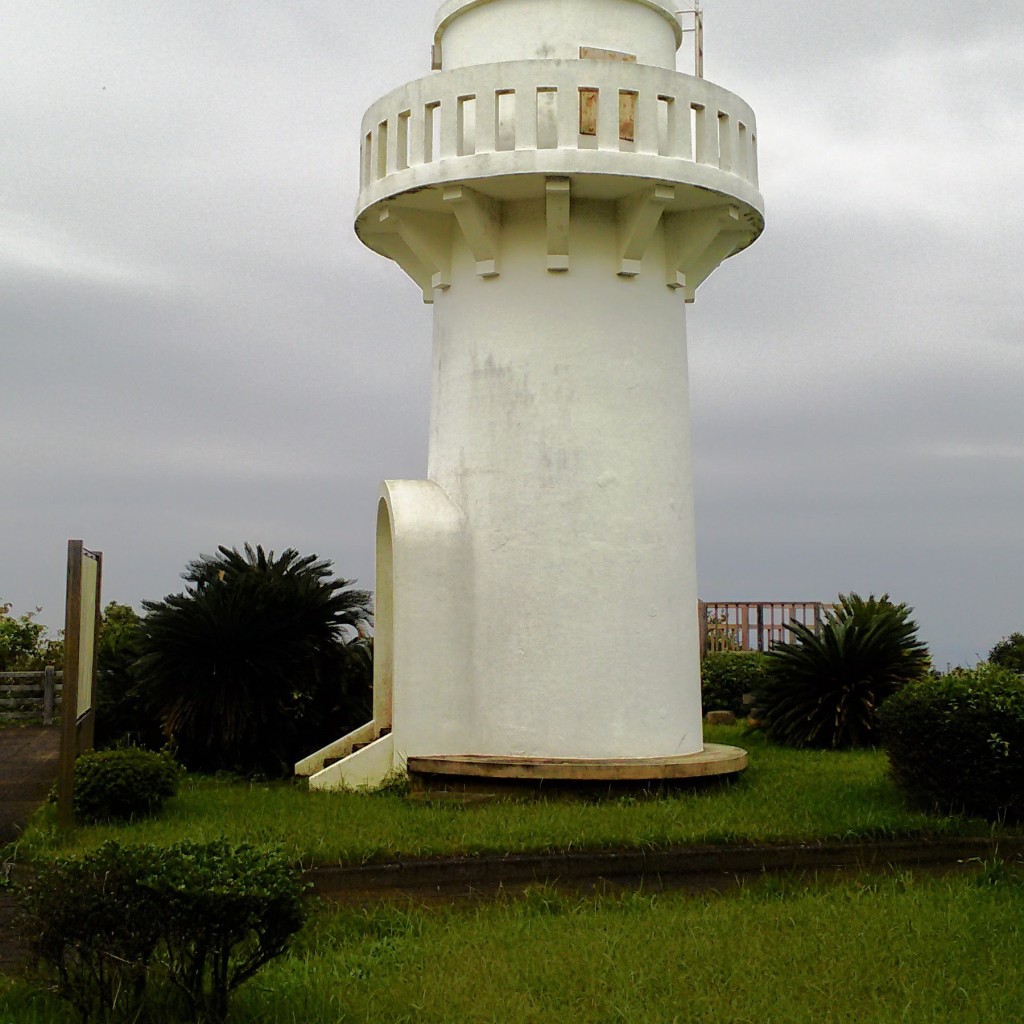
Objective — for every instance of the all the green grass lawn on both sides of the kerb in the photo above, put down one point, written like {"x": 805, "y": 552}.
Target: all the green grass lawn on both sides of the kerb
{"x": 876, "y": 950}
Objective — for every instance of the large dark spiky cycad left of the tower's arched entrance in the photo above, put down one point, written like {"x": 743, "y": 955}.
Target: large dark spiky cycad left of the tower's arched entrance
{"x": 260, "y": 662}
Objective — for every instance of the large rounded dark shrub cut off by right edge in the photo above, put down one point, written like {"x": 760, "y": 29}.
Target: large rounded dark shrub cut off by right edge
{"x": 957, "y": 744}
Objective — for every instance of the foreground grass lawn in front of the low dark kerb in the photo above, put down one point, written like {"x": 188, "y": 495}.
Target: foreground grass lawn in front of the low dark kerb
{"x": 893, "y": 950}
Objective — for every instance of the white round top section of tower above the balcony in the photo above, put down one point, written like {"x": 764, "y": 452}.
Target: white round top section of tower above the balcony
{"x": 480, "y": 32}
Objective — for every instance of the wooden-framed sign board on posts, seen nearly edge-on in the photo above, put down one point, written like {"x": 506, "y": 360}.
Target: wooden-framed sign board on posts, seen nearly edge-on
{"x": 82, "y": 617}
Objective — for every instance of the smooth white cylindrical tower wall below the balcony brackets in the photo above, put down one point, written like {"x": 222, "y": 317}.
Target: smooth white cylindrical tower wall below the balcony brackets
{"x": 561, "y": 426}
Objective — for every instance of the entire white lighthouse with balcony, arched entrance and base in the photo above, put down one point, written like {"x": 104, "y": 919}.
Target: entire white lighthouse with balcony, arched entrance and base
{"x": 559, "y": 192}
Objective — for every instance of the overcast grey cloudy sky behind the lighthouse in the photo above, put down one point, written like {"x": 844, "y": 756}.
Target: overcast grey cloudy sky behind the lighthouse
{"x": 196, "y": 351}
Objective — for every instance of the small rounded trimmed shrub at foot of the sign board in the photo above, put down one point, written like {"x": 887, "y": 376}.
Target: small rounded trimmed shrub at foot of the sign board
{"x": 123, "y": 784}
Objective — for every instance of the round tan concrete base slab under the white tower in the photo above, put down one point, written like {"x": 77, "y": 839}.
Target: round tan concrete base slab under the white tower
{"x": 714, "y": 760}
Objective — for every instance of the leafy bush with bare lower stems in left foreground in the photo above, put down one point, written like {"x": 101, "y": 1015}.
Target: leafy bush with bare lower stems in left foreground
{"x": 195, "y": 921}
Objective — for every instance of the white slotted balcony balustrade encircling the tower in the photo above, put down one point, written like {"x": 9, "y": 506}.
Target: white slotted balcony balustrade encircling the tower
{"x": 517, "y": 116}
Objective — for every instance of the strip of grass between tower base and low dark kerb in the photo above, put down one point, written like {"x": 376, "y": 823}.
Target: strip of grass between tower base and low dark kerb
{"x": 786, "y": 795}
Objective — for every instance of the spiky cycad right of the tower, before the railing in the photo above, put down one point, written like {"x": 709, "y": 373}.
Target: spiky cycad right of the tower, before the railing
{"x": 824, "y": 691}
